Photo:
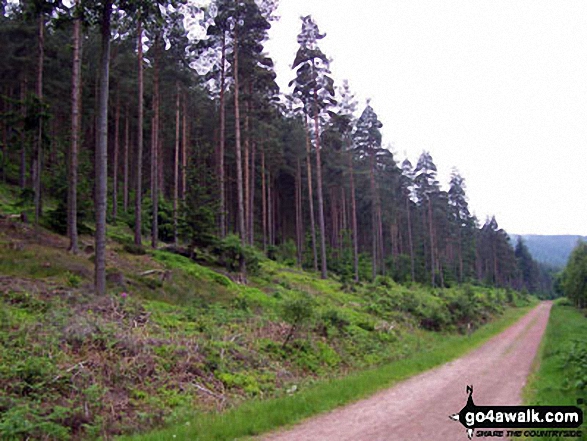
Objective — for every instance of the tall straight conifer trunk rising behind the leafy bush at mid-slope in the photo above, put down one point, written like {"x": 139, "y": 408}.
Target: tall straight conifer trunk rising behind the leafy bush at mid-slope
{"x": 239, "y": 164}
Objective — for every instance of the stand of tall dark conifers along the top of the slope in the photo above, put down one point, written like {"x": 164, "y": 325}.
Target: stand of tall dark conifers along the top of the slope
{"x": 165, "y": 116}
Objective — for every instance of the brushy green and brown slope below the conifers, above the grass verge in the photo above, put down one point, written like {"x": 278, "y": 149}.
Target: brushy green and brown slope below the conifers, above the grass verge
{"x": 173, "y": 336}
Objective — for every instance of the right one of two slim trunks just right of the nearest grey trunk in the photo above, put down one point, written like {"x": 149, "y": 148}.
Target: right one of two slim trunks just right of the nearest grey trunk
{"x": 155, "y": 150}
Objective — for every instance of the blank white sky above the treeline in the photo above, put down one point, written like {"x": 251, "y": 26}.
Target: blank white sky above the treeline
{"x": 496, "y": 88}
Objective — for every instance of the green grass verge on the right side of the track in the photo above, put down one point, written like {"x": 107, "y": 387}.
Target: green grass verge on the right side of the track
{"x": 555, "y": 380}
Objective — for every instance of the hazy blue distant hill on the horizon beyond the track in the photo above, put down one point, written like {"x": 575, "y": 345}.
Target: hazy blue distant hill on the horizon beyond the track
{"x": 552, "y": 250}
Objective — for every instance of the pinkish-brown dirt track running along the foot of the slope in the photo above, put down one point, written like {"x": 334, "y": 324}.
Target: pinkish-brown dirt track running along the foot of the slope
{"x": 418, "y": 408}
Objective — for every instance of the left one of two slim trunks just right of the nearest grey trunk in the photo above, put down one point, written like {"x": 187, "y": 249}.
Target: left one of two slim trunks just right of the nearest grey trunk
{"x": 139, "y": 167}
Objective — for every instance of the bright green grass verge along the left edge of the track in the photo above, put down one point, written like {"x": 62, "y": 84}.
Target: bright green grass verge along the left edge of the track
{"x": 256, "y": 417}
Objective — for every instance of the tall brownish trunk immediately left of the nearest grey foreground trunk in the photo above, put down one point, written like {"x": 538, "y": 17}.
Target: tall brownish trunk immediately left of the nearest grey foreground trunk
{"x": 75, "y": 134}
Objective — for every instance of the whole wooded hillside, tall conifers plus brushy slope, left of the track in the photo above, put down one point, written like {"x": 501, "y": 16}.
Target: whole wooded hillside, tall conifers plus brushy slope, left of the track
{"x": 200, "y": 228}
